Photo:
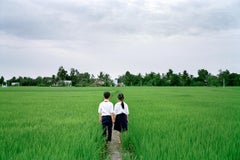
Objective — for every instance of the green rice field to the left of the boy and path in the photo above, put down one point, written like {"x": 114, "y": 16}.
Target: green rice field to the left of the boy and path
{"x": 49, "y": 123}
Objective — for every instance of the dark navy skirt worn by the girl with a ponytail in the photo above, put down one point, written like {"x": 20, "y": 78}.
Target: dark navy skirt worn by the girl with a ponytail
{"x": 121, "y": 123}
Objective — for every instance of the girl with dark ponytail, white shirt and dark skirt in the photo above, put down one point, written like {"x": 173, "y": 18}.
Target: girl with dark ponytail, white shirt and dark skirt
{"x": 121, "y": 115}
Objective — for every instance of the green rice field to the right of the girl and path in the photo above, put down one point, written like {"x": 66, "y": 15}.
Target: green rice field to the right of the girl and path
{"x": 184, "y": 123}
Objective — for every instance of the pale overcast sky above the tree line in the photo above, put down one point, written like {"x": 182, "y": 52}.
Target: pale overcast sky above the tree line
{"x": 115, "y": 36}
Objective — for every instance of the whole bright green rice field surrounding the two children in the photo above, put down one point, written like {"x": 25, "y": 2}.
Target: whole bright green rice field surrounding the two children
{"x": 164, "y": 123}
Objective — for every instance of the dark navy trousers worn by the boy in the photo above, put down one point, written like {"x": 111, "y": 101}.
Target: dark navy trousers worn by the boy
{"x": 107, "y": 126}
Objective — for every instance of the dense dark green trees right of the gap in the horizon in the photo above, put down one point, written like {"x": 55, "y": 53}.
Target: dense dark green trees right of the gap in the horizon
{"x": 204, "y": 78}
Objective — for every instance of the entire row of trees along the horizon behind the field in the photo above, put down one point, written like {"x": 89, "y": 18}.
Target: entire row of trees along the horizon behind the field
{"x": 75, "y": 78}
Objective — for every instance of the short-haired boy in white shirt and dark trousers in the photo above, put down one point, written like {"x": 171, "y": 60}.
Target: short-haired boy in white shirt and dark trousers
{"x": 106, "y": 118}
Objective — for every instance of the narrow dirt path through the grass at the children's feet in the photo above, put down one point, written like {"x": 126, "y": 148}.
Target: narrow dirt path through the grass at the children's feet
{"x": 114, "y": 147}
